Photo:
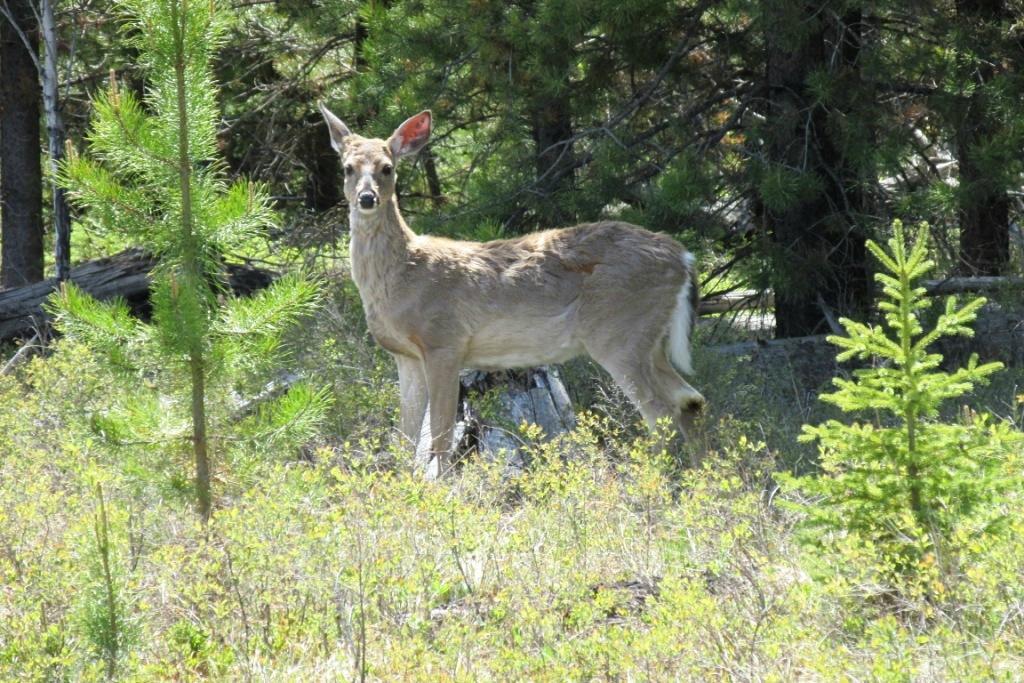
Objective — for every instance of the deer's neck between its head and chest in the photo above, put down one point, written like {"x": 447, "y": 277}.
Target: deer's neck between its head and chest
{"x": 379, "y": 248}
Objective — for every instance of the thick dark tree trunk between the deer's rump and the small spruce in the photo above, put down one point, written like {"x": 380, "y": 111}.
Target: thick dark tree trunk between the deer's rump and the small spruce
{"x": 821, "y": 258}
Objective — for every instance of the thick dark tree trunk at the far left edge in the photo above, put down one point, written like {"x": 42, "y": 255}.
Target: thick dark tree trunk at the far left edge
{"x": 21, "y": 168}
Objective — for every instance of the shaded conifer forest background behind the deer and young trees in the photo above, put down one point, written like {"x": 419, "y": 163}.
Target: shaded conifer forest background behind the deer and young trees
{"x": 773, "y": 138}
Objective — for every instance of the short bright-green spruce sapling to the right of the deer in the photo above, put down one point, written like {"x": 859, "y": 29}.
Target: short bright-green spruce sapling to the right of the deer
{"x": 910, "y": 486}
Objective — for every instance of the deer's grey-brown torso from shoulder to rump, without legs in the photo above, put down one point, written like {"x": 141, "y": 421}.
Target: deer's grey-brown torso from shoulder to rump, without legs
{"x": 536, "y": 300}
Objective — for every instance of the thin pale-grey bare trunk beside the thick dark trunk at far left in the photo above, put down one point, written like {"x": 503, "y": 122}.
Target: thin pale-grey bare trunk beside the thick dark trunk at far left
{"x": 56, "y": 137}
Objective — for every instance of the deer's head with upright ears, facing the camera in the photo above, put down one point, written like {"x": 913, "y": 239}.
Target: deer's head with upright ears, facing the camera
{"x": 369, "y": 162}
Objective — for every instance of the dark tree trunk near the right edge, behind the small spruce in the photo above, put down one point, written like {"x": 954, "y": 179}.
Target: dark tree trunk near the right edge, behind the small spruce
{"x": 985, "y": 204}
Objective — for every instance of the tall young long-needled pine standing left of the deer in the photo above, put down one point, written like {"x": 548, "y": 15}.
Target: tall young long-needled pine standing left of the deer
{"x": 154, "y": 178}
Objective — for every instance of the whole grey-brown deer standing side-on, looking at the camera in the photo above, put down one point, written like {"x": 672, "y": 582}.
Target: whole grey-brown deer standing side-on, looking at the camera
{"x": 625, "y": 296}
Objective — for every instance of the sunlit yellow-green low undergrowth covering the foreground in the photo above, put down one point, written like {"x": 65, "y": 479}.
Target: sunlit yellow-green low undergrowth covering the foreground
{"x": 605, "y": 562}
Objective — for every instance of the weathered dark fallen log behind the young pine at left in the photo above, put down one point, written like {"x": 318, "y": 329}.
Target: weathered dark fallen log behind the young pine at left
{"x": 125, "y": 275}
